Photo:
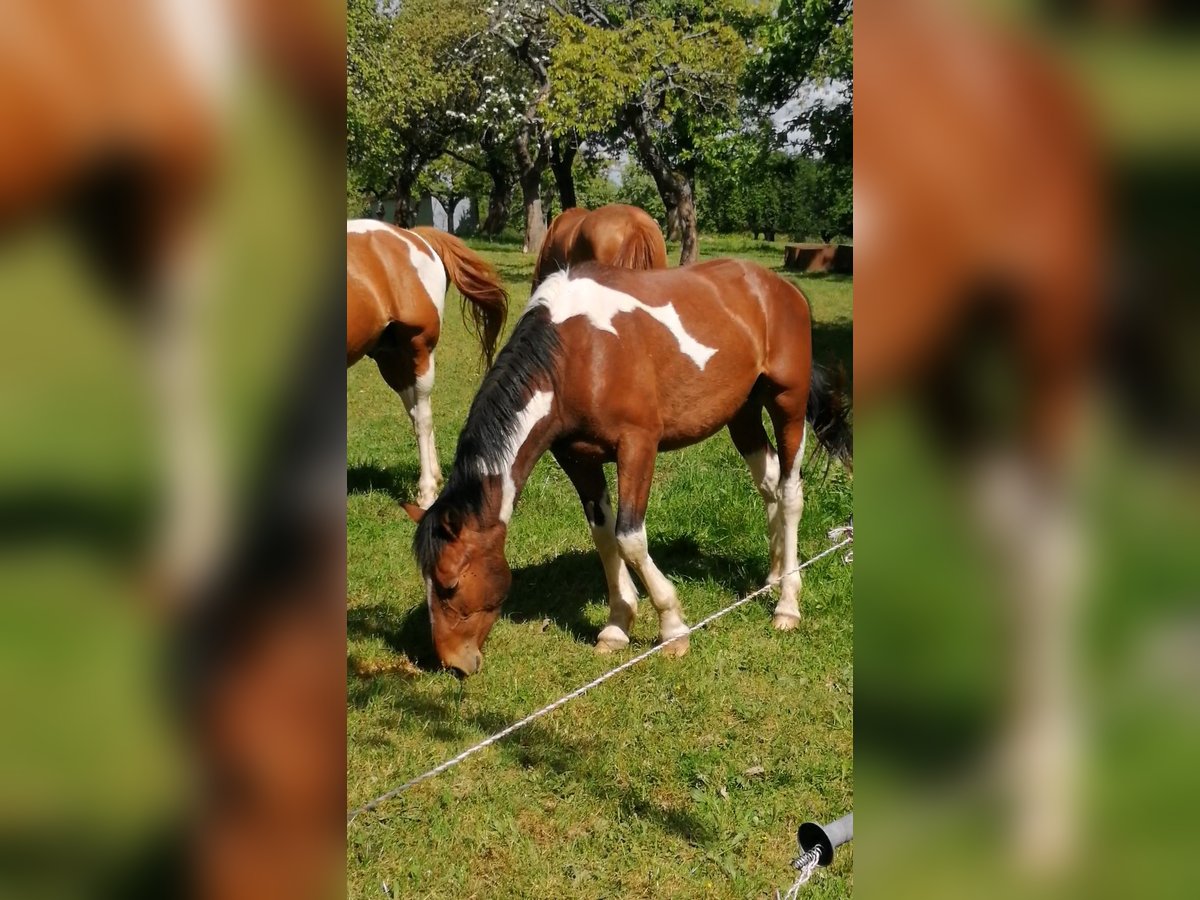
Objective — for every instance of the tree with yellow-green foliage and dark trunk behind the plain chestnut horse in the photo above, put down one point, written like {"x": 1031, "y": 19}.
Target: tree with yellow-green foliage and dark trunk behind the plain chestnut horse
{"x": 664, "y": 75}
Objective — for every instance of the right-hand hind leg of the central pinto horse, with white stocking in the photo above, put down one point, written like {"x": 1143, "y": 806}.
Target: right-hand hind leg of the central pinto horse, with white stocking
{"x": 787, "y": 411}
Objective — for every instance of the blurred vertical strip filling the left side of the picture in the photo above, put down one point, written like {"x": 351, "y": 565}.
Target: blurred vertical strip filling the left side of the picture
{"x": 171, "y": 467}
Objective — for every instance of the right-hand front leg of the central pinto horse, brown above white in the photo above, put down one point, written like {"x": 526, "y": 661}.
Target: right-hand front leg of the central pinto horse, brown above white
{"x": 635, "y": 471}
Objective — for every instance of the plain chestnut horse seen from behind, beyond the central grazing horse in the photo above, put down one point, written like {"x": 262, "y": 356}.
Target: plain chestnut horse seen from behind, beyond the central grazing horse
{"x": 616, "y": 235}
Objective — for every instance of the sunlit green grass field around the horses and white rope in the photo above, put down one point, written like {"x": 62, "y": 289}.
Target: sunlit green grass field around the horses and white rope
{"x": 681, "y": 778}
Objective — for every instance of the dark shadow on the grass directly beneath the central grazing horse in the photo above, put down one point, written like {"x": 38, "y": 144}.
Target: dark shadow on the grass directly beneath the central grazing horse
{"x": 557, "y": 590}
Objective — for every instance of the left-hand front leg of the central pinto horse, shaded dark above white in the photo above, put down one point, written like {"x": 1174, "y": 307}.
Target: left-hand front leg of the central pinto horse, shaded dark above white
{"x": 590, "y": 483}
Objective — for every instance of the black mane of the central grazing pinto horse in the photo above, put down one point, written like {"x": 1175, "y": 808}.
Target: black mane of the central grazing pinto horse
{"x": 529, "y": 361}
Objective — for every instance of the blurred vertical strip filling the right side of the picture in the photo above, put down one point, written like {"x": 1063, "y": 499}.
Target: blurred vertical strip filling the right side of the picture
{"x": 1028, "y": 635}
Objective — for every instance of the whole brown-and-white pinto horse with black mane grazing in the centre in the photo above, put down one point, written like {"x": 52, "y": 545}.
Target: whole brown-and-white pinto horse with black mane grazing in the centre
{"x": 615, "y": 365}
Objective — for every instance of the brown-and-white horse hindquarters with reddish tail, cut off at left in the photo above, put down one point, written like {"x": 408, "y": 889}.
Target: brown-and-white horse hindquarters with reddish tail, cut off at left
{"x": 397, "y": 284}
